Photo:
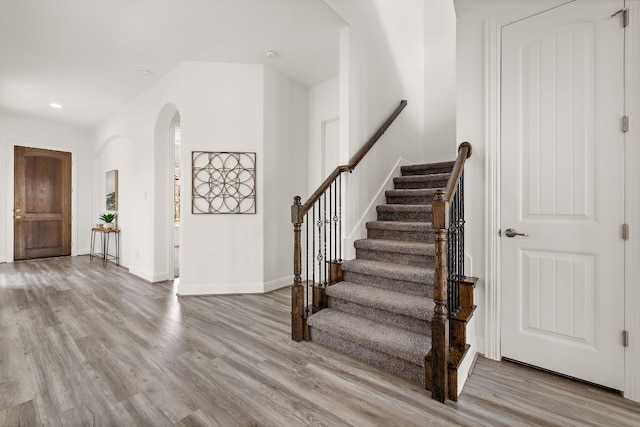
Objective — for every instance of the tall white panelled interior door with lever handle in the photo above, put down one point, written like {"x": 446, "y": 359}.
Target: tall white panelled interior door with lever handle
{"x": 562, "y": 183}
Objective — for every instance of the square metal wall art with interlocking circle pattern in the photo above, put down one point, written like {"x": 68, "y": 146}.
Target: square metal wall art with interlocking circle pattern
{"x": 223, "y": 183}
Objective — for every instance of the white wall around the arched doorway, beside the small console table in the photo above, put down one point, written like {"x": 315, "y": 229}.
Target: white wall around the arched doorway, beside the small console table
{"x": 126, "y": 142}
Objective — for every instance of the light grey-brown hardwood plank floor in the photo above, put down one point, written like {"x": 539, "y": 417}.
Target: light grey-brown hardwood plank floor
{"x": 84, "y": 345}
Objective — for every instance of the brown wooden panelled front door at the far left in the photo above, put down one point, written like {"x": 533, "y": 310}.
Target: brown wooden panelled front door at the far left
{"x": 42, "y": 203}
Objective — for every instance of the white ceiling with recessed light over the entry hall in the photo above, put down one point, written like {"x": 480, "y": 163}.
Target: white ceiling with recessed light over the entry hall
{"x": 87, "y": 54}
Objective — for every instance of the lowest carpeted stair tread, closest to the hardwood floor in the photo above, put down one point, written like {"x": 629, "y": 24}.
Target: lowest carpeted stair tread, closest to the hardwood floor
{"x": 400, "y": 343}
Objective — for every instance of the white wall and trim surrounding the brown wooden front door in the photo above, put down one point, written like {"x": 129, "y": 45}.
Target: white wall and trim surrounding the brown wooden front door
{"x": 16, "y": 131}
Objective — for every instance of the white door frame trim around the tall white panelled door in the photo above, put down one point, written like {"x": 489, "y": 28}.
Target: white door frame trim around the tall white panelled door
{"x": 492, "y": 33}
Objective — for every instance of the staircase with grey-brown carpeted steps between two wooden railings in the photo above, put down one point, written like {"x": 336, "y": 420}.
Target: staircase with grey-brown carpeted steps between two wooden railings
{"x": 381, "y": 311}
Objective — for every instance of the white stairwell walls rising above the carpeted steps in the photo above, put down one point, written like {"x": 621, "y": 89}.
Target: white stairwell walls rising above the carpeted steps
{"x": 388, "y": 54}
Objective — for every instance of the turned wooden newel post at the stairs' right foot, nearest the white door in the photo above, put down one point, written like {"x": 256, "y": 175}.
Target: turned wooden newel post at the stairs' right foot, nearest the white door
{"x": 440, "y": 323}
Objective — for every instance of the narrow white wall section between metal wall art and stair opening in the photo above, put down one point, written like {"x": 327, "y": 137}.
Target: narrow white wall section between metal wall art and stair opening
{"x": 285, "y": 171}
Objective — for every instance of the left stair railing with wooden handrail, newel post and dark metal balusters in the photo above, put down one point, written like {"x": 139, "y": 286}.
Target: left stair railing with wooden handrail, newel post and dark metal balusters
{"x": 325, "y": 195}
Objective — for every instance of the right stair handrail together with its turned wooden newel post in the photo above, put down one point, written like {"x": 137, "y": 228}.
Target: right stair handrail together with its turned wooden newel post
{"x": 440, "y": 323}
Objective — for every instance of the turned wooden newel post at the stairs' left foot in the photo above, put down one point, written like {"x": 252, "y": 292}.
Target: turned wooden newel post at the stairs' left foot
{"x": 297, "y": 290}
